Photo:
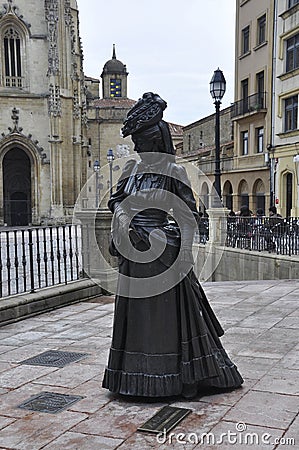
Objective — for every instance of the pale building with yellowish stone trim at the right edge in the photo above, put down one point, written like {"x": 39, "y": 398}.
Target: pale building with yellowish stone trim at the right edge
{"x": 284, "y": 149}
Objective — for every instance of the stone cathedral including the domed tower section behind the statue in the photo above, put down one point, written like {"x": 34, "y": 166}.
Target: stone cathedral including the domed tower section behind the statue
{"x": 56, "y": 128}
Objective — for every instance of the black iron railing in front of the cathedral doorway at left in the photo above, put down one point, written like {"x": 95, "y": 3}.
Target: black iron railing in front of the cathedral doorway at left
{"x": 38, "y": 257}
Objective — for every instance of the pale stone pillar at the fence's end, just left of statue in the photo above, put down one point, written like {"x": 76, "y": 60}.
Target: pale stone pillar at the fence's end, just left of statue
{"x": 98, "y": 264}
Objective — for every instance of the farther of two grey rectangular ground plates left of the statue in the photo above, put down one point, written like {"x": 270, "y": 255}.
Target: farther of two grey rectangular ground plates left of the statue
{"x": 54, "y": 358}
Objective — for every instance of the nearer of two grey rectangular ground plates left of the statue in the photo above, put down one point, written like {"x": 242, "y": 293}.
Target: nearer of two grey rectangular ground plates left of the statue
{"x": 50, "y": 402}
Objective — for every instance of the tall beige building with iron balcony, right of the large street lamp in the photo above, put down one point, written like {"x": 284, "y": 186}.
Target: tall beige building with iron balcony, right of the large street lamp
{"x": 251, "y": 111}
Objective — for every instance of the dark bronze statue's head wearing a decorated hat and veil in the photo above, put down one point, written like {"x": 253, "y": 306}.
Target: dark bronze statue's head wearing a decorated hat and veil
{"x": 144, "y": 123}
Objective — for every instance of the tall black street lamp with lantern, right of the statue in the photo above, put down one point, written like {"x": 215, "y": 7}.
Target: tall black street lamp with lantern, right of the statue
{"x": 217, "y": 90}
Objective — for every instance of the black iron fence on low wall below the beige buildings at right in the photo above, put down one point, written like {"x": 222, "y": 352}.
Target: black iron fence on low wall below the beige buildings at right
{"x": 272, "y": 234}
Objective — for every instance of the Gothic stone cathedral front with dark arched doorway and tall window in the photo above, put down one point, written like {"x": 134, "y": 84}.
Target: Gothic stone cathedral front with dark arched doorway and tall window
{"x": 43, "y": 122}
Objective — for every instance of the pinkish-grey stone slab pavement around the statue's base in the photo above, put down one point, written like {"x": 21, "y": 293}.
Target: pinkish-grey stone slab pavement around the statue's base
{"x": 261, "y": 320}
